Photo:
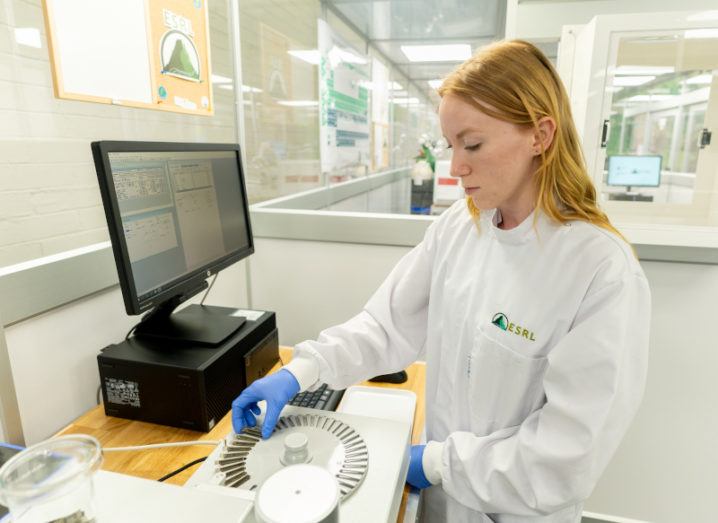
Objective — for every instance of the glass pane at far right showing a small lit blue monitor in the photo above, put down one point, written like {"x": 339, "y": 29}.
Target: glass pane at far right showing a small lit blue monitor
{"x": 660, "y": 94}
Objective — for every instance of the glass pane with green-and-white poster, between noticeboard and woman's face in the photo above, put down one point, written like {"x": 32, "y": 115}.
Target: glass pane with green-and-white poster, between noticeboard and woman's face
{"x": 296, "y": 56}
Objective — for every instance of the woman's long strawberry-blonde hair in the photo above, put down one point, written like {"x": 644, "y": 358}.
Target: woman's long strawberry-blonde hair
{"x": 513, "y": 81}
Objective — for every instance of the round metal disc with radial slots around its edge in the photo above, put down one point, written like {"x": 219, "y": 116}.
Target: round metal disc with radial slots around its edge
{"x": 249, "y": 460}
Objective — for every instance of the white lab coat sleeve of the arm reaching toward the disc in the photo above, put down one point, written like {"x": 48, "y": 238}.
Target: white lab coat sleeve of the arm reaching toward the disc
{"x": 386, "y": 336}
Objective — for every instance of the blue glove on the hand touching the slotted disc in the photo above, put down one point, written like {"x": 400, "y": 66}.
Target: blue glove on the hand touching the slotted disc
{"x": 277, "y": 389}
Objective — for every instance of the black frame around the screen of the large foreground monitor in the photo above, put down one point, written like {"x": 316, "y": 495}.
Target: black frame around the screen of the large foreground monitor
{"x": 184, "y": 286}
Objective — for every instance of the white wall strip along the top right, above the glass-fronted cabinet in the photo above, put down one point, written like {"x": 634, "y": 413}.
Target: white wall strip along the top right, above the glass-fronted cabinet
{"x": 543, "y": 19}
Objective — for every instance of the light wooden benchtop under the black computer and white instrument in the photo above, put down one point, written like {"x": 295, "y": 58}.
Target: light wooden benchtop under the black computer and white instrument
{"x": 153, "y": 464}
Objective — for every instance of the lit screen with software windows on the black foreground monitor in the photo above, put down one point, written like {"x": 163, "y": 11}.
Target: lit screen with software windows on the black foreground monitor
{"x": 179, "y": 211}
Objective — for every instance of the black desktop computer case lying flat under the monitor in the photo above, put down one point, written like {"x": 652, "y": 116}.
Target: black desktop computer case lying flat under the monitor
{"x": 184, "y": 385}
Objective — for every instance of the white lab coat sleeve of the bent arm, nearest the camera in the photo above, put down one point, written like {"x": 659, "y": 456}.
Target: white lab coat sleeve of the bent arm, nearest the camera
{"x": 593, "y": 384}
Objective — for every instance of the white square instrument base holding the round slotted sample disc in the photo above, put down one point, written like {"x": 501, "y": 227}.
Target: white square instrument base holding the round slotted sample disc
{"x": 369, "y": 457}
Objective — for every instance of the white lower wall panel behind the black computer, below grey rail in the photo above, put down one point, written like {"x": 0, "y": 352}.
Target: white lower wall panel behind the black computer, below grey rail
{"x": 53, "y": 356}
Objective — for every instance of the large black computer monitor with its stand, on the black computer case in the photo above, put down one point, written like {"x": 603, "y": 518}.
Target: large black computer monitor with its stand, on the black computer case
{"x": 177, "y": 213}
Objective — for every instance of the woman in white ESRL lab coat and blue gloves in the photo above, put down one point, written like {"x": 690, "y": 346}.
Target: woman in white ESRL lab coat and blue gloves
{"x": 531, "y": 308}
